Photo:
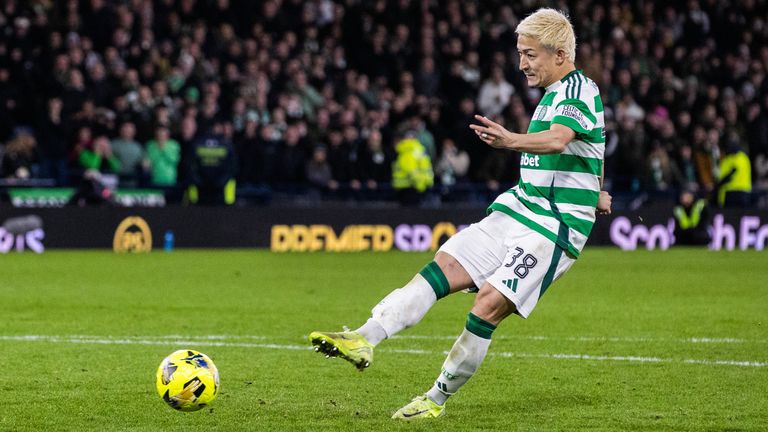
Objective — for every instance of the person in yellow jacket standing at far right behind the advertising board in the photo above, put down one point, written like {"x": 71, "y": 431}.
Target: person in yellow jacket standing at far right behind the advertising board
{"x": 735, "y": 184}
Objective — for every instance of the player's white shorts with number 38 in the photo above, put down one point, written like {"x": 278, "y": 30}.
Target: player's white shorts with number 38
{"x": 516, "y": 260}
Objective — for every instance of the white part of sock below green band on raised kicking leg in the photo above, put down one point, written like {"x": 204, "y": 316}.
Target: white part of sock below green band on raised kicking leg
{"x": 402, "y": 308}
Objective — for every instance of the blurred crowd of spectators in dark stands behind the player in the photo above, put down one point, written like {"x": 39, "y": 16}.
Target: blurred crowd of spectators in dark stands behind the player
{"x": 319, "y": 94}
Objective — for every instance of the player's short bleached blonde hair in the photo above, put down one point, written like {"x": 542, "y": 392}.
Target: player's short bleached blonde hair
{"x": 552, "y": 29}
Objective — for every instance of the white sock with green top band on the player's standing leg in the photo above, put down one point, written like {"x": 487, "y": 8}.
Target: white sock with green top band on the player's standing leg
{"x": 463, "y": 360}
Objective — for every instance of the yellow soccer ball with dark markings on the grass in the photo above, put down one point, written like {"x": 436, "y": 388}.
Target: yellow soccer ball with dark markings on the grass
{"x": 187, "y": 380}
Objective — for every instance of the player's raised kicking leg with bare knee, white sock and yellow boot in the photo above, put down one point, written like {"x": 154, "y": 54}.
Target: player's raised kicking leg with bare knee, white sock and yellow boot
{"x": 402, "y": 308}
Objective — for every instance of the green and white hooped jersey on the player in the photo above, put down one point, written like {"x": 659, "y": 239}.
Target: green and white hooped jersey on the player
{"x": 557, "y": 193}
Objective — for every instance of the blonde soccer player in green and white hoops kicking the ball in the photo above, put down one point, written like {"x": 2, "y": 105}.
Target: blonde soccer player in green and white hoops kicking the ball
{"x": 533, "y": 233}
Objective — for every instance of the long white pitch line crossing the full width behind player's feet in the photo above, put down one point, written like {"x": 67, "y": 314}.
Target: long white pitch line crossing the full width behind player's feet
{"x": 159, "y": 340}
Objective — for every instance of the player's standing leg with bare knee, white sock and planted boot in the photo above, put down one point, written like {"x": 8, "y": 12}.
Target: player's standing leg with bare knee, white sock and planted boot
{"x": 468, "y": 352}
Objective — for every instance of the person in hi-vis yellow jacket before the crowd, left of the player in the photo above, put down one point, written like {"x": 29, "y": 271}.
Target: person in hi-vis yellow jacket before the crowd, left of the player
{"x": 412, "y": 171}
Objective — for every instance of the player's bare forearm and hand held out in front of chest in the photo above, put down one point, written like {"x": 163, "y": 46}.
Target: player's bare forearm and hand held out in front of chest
{"x": 550, "y": 141}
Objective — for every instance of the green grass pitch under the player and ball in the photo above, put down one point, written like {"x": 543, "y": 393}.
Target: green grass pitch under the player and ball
{"x": 674, "y": 340}
